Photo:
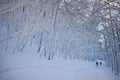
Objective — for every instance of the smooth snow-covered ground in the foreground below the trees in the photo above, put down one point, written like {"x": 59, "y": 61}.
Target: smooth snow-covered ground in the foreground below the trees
{"x": 28, "y": 66}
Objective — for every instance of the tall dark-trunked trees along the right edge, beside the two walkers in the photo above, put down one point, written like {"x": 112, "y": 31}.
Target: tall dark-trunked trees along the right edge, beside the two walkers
{"x": 109, "y": 14}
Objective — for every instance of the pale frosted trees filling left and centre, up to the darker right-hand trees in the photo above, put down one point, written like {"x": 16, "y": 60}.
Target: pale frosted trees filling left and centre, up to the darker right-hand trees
{"x": 57, "y": 27}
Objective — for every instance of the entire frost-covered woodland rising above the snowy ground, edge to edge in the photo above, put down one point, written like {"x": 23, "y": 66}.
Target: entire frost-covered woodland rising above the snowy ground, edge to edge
{"x": 40, "y": 21}
